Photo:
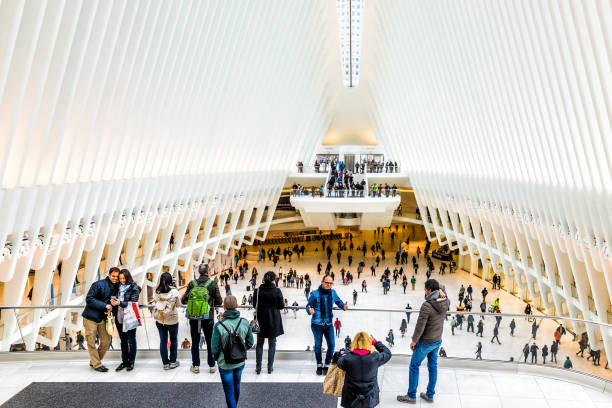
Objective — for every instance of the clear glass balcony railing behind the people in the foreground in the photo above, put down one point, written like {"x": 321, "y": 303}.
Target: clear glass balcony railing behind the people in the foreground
{"x": 581, "y": 340}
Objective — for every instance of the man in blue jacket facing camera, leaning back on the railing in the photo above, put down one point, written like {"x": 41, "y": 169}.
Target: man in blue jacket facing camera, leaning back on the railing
{"x": 320, "y": 305}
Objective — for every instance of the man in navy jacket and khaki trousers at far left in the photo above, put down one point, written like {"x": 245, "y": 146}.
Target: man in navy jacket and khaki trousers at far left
{"x": 98, "y": 305}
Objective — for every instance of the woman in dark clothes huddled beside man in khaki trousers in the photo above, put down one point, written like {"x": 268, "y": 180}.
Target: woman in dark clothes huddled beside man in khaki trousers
{"x": 128, "y": 292}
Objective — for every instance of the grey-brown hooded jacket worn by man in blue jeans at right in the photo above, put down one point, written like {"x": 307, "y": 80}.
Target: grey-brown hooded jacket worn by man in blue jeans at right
{"x": 430, "y": 322}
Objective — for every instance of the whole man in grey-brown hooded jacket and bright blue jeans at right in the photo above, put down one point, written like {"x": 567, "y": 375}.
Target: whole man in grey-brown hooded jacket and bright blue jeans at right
{"x": 426, "y": 341}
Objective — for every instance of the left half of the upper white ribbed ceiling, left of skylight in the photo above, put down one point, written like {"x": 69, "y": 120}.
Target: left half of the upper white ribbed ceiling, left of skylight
{"x": 100, "y": 90}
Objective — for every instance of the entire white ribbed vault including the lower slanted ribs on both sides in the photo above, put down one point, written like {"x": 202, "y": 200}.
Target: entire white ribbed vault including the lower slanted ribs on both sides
{"x": 114, "y": 113}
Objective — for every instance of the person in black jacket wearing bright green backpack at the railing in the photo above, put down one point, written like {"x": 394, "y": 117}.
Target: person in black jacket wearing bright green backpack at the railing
{"x": 201, "y": 297}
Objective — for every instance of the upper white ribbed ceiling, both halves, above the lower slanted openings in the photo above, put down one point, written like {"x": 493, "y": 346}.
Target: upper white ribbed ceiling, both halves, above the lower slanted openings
{"x": 476, "y": 92}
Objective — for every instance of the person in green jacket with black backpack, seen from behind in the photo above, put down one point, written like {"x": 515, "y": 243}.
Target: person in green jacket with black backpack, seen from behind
{"x": 232, "y": 337}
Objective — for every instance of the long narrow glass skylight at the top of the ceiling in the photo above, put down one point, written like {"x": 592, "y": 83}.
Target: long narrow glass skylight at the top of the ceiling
{"x": 350, "y": 14}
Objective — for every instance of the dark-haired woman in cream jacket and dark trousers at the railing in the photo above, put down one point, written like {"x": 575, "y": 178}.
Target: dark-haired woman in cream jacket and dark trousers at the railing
{"x": 166, "y": 299}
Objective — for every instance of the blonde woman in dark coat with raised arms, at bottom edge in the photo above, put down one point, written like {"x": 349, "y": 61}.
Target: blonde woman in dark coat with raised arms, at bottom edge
{"x": 361, "y": 366}
